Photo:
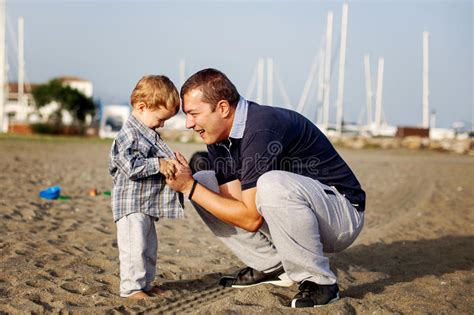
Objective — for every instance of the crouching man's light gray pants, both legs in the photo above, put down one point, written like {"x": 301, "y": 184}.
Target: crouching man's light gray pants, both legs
{"x": 302, "y": 221}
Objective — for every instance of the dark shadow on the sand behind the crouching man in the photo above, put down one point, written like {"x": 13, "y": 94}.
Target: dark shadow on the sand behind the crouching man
{"x": 404, "y": 261}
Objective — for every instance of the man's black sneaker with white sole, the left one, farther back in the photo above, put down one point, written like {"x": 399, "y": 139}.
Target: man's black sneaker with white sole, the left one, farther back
{"x": 249, "y": 277}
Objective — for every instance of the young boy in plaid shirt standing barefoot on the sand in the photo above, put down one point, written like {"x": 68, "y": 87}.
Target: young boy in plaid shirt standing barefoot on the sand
{"x": 140, "y": 195}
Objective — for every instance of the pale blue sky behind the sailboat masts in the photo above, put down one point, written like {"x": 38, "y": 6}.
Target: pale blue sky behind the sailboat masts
{"x": 114, "y": 43}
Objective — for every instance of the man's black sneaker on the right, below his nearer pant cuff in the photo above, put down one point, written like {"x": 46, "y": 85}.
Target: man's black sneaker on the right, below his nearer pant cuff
{"x": 313, "y": 295}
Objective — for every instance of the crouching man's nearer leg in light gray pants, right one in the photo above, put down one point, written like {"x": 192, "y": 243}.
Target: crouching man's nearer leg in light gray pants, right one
{"x": 306, "y": 217}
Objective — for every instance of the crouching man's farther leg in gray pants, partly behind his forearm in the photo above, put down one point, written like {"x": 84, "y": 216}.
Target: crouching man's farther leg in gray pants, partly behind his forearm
{"x": 256, "y": 250}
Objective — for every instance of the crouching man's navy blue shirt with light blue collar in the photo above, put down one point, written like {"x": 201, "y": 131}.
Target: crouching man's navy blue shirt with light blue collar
{"x": 267, "y": 138}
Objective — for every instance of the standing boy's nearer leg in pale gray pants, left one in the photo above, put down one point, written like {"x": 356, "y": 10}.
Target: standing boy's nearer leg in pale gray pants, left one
{"x": 132, "y": 237}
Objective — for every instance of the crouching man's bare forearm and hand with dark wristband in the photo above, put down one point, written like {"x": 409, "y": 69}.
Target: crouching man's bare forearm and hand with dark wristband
{"x": 232, "y": 205}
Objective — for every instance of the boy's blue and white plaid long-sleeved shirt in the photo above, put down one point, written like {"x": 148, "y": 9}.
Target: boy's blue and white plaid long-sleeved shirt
{"x": 135, "y": 169}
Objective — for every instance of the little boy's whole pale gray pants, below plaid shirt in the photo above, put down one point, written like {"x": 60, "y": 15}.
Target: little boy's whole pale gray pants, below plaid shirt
{"x": 137, "y": 244}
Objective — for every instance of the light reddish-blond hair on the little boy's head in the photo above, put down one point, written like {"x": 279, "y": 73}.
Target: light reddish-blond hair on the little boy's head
{"x": 155, "y": 91}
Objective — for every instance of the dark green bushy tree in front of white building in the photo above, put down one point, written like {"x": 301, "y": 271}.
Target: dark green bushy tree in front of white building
{"x": 69, "y": 99}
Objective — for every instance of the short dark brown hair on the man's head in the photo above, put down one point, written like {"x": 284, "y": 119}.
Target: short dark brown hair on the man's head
{"x": 214, "y": 85}
